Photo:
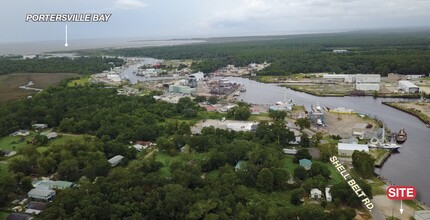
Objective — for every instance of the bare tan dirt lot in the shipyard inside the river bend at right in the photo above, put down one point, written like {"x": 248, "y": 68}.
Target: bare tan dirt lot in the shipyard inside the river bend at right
{"x": 342, "y": 124}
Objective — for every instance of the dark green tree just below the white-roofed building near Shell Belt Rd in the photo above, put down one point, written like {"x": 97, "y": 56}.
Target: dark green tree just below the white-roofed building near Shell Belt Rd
{"x": 363, "y": 163}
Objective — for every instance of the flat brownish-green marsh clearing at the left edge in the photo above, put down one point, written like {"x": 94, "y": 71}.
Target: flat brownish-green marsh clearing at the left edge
{"x": 9, "y": 84}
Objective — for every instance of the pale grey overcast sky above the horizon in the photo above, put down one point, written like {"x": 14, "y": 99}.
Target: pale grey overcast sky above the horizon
{"x": 163, "y": 19}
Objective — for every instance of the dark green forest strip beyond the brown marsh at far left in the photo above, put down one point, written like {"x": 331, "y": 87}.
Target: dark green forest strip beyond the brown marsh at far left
{"x": 81, "y": 65}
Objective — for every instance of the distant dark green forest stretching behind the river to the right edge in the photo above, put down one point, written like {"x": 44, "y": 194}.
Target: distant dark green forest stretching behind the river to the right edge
{"x": 380, "y": 53}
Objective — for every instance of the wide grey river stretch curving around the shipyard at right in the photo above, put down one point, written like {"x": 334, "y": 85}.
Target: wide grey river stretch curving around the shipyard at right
{"x": 408, "y": 167}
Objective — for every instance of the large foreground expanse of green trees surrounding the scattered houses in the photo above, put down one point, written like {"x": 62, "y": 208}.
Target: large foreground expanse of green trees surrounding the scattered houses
{"x": 145, "y": 187}
